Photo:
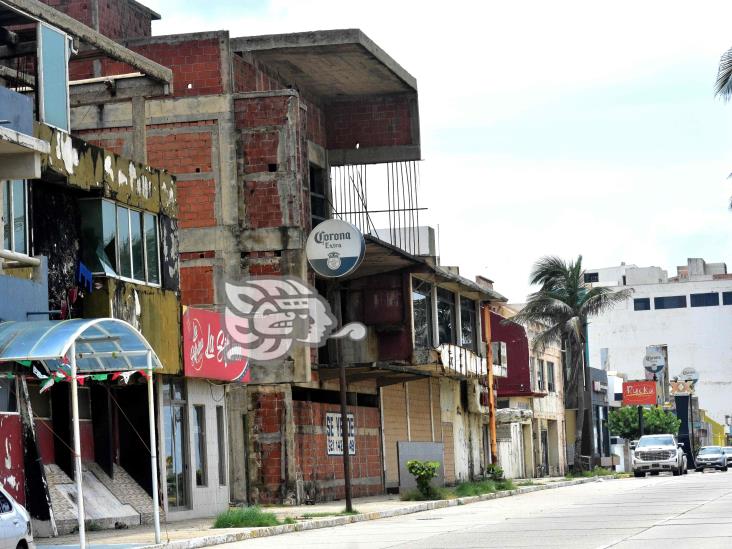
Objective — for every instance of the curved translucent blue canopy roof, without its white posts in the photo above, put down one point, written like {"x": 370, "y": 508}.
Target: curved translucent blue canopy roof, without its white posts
{"x": 102, "y": 344}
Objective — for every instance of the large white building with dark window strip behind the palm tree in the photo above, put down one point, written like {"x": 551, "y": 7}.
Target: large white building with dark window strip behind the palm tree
{"x": 689, "y": 316}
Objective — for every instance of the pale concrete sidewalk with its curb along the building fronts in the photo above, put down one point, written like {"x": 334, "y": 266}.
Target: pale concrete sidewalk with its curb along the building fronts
{"x": 192, "y": 534}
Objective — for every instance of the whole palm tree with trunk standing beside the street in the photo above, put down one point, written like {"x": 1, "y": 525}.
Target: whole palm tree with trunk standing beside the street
{"x": 563, "y": 304}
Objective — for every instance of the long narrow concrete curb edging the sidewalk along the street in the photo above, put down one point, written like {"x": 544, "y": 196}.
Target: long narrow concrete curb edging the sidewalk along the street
{"x": 253, "y": 533}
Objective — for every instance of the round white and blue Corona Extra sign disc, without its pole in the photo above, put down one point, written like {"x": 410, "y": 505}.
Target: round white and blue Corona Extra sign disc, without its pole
{"x": 335, "y": 248}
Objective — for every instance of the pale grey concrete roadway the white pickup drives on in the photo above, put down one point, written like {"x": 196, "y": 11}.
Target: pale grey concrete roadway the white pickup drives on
{"x": 656, "y": 512}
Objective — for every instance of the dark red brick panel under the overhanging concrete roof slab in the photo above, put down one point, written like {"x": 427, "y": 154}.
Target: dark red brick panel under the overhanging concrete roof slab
{"x": 379, "y": 122}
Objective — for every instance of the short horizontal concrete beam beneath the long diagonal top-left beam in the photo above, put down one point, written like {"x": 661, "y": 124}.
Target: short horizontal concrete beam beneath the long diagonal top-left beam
{"x": 103, "y": 90}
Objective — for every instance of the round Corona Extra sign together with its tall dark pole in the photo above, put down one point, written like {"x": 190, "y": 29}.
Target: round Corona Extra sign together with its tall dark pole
{"x": 334, "y": 249}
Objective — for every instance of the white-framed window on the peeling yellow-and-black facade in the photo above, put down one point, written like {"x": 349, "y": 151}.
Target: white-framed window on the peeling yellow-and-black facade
{"x": 119, "y": 241}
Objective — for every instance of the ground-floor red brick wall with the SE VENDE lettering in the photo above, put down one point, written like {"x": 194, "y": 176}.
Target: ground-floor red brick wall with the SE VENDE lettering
{"x": 318, "y": 467}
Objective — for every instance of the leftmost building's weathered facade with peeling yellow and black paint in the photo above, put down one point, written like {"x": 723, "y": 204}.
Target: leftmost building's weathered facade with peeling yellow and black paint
{"x": 85, "y": 233}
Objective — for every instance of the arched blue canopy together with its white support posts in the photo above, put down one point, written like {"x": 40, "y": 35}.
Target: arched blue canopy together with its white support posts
{"x": 100, "y": 345}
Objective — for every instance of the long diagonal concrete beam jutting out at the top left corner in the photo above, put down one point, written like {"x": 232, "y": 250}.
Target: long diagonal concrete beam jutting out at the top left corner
{"x": 91, "y": 37}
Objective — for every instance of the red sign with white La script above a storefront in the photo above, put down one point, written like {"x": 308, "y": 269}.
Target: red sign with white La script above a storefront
{"x": 204, "y": 348}
